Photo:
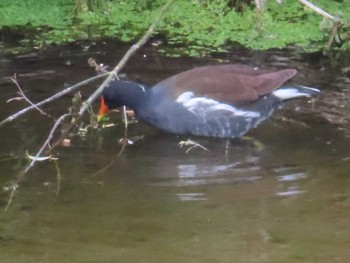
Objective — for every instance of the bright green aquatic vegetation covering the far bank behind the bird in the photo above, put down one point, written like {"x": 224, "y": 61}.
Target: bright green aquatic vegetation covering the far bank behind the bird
{"x": 193, "y": 27}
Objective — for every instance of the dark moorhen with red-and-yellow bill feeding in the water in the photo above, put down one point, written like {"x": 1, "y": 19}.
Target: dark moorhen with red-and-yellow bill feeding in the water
{"x": 222, "y": 101}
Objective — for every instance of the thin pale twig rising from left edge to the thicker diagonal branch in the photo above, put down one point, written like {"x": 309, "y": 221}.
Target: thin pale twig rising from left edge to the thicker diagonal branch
{"x": 52, "y": 98}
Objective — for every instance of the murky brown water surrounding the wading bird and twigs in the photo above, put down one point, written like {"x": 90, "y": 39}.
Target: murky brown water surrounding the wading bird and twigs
{"x": 284, "y": 201}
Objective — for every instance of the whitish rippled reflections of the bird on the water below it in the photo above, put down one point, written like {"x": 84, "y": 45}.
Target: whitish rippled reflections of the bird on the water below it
{"x": 196, "y": 175}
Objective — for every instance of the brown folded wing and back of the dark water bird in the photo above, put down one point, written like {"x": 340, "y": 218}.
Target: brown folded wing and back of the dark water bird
{"x": 233, "y": 83}
